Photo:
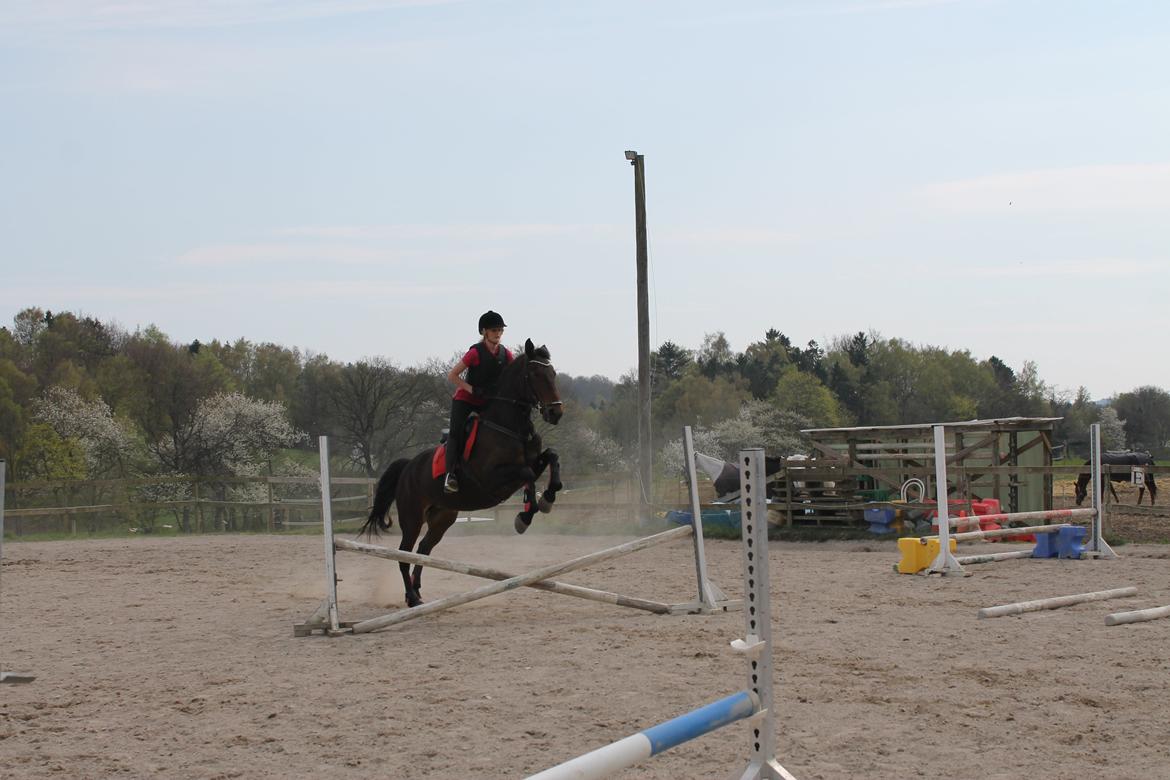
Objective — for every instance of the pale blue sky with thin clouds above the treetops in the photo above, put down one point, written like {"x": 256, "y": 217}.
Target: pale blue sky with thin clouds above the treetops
{"x": 364, "y": 178}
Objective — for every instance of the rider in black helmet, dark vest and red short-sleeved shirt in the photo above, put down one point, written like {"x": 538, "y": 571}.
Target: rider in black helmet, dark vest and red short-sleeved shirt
{"x": 483, "y": 363}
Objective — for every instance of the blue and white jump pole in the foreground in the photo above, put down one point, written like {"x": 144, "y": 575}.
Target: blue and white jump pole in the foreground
{"x": 627, "y": 753}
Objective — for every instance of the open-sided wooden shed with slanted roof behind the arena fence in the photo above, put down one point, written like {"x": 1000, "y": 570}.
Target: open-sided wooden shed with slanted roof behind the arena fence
{"x": 1007, "y": 459}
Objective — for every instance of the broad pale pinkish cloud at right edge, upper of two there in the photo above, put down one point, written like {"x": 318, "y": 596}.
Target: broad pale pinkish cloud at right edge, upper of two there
{"x": 1096, "y": 188}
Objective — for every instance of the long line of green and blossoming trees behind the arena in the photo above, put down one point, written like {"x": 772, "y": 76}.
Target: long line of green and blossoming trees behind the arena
{"x": 86, "y": 399}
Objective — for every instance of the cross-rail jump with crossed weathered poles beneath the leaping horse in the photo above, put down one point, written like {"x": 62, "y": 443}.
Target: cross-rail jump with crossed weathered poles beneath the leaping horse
{"x": 327, "y": 620}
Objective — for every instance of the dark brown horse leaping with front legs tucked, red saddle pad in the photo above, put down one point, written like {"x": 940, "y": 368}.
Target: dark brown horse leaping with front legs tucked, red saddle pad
{"x": 507, "y": 457}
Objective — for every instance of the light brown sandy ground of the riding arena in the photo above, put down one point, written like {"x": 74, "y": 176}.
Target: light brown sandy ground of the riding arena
{"x": 176, "y": 658}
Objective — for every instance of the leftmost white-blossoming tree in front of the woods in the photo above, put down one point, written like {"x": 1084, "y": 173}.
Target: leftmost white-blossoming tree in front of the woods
{"x": 108, "y": 444}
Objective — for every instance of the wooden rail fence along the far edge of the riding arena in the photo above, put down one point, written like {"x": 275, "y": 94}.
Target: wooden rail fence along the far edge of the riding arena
{"x": 804, "y": 493}
